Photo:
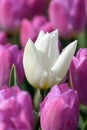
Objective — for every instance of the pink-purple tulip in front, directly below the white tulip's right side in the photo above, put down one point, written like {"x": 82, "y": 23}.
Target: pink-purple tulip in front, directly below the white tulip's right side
{"x": 60, "y": 109}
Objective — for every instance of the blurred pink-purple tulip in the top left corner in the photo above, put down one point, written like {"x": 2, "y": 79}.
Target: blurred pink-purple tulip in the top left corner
{"x": 10, "y": 14}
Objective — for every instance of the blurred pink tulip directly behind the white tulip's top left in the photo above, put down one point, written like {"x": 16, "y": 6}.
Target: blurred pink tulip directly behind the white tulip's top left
{"x": 31, "y": 29}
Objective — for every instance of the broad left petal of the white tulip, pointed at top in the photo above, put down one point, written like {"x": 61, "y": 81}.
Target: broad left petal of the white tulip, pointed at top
{"x": 32, "y": 65}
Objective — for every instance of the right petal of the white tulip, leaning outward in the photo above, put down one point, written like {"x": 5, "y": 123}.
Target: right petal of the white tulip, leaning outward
{"x": 62, "y": 64}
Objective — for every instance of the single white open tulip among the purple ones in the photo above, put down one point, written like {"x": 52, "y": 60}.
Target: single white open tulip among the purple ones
{"x": 43, "y": 65}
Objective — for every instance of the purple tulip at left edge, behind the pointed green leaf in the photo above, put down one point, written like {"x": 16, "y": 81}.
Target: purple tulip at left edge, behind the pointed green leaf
{"x": 9, "y": 55}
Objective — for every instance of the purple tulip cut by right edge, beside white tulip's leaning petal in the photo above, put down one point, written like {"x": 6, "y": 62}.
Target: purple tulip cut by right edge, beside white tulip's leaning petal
{"x": 78, "y": 74}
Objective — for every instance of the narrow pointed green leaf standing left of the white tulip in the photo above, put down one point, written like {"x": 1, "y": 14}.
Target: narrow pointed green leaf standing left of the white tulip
{"x": 13, "y": 76}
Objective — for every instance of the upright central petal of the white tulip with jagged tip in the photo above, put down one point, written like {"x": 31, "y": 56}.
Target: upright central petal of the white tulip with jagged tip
{"x": 48, "y": 49}
